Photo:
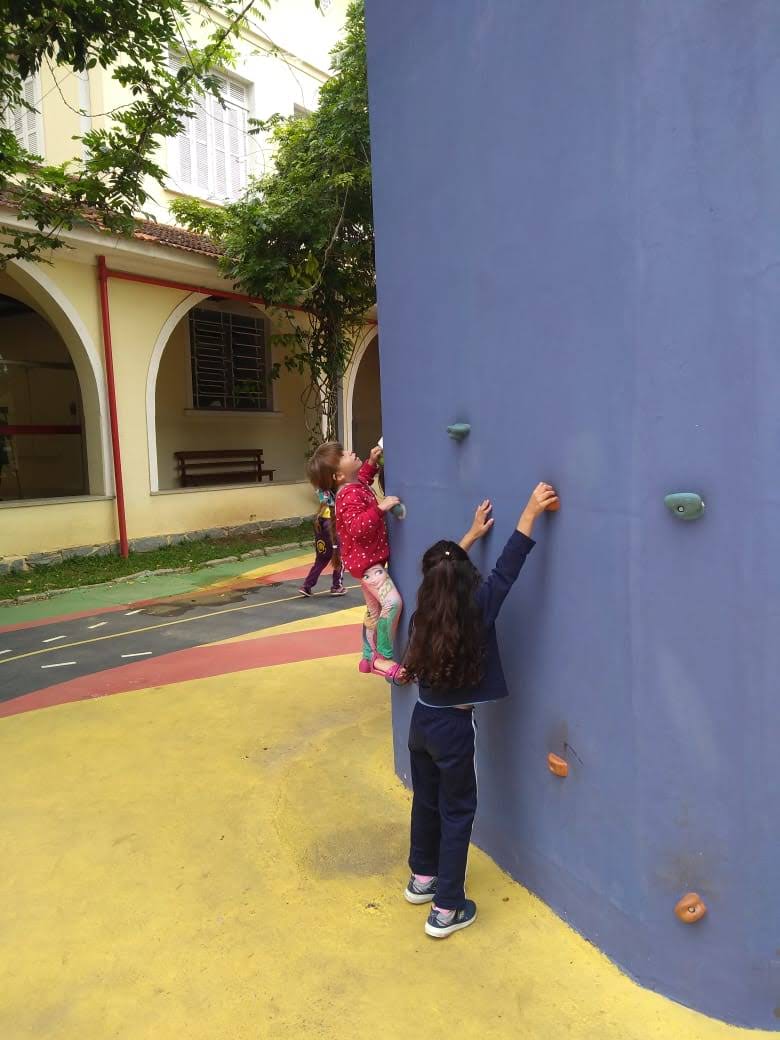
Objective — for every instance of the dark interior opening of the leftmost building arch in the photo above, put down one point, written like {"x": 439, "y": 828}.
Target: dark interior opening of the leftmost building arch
{"x": 43, "y": 431}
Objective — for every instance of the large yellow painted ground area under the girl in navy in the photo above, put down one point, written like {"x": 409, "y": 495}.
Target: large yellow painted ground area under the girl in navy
{"x": 224, "y": 861}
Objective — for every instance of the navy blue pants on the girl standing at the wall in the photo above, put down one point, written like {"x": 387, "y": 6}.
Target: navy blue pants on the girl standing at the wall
{"x": 441, "y": 745}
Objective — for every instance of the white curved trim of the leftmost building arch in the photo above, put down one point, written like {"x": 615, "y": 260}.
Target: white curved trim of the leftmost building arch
{"x": 57, "y": 307}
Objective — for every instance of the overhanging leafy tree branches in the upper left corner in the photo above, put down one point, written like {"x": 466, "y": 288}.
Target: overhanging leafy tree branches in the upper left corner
{"x": 134, "y": 38}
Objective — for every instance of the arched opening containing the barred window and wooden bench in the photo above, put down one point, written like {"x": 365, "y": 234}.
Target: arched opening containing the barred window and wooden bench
{"x": 212, "y": 399}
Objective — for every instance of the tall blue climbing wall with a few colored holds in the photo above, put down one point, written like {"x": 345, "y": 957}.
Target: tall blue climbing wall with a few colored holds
{"x": 579, "y": 253}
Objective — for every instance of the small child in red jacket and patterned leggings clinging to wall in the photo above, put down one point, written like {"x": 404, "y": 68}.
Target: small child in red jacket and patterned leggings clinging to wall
{"x": 362, "y": 536}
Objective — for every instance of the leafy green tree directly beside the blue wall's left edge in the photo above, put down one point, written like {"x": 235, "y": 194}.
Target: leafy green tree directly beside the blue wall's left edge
{"x": 304, "y": 233}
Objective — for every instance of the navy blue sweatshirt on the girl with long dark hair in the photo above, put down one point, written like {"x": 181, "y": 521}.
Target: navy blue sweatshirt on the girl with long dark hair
{"x": 490, "y": 596}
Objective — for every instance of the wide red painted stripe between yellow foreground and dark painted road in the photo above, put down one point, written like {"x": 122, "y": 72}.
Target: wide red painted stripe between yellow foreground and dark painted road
{"x": 197, "y": 663}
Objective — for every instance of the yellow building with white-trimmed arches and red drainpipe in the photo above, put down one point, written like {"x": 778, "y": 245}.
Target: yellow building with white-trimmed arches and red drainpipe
{"x": 191, "y": 359}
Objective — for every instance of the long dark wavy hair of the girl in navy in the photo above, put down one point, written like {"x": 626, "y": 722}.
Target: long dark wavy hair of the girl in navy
{"x": 447, "y": 646}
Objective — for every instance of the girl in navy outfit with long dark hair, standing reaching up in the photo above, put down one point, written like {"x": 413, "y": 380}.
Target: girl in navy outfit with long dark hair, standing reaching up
{"x": 453, "y": 656}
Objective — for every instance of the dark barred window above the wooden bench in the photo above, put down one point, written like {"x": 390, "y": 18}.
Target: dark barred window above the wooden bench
{"x": 230, "y": 363}
